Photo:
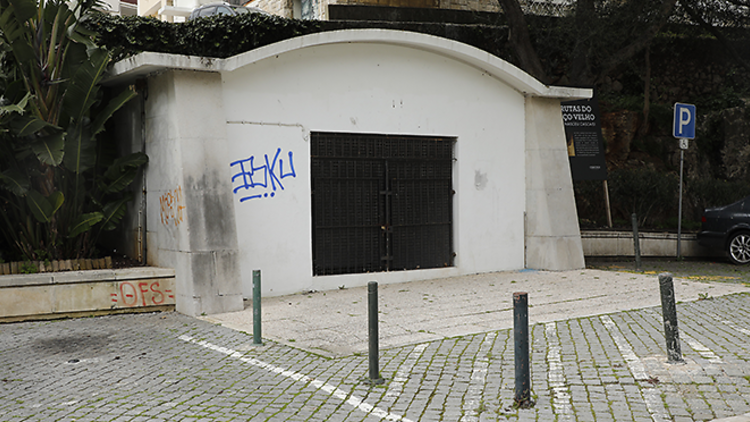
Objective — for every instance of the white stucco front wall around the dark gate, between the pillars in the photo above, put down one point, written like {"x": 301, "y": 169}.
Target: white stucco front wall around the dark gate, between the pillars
{"x": 386, "y": 89}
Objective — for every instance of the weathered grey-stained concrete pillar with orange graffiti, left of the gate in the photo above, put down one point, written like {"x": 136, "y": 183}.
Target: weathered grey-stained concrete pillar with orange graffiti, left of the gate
{"x": 191, "y": 222}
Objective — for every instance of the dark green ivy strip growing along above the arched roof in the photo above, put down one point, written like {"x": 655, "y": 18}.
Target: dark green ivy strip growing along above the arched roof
{"x": 224, "y": 36}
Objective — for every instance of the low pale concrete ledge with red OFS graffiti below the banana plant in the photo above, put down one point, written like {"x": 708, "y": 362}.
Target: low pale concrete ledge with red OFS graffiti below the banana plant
{"x": 72, "y": 293}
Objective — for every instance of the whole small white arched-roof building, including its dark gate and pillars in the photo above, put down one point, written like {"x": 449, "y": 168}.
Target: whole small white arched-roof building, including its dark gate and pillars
{"x": 342, "y": 157}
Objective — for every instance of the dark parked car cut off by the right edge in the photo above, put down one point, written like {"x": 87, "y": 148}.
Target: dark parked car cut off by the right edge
{"x": 728, "y": 228}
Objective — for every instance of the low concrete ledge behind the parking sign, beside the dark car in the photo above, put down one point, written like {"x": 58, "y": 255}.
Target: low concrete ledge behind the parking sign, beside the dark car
{"x": 620, "y": 243}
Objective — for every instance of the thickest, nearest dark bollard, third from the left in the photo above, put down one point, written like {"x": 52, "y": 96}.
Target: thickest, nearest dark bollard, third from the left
{"x": 521, "y": 349}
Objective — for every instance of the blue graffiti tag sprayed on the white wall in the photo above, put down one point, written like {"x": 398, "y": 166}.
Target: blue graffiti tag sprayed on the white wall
{"x": 252, "y": 177}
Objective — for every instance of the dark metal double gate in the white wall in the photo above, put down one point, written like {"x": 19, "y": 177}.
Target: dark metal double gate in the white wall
{"x": 381, "y": 202}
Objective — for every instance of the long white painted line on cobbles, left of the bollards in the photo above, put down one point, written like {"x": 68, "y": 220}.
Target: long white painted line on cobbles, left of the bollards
{"x": 348, "y": 398}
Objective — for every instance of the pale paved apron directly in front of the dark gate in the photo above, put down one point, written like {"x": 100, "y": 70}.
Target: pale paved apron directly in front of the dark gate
{"x": 334, "y": 323}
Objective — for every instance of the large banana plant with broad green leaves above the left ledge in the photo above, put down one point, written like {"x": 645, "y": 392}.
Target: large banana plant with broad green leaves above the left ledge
{"x": 58, "y": 188}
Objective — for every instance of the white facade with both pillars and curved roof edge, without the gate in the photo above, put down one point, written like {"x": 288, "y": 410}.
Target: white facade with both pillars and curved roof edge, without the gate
{"x": 513, "y": 206}
